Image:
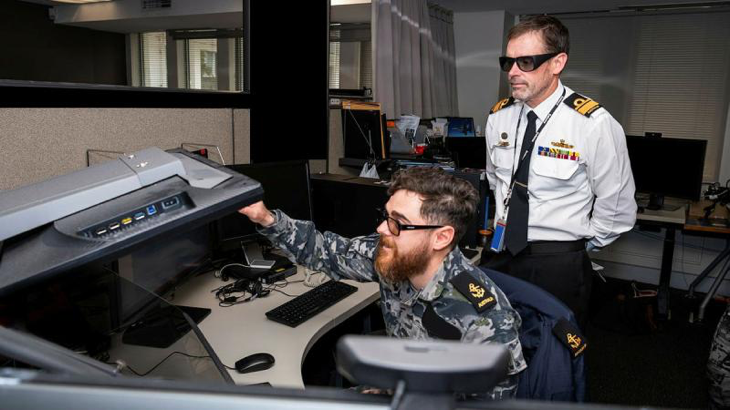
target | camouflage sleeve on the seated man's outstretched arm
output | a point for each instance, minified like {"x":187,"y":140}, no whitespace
{"x":336,"y":256}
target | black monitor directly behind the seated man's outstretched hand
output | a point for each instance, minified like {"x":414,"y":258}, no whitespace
{"x":286,"y":187}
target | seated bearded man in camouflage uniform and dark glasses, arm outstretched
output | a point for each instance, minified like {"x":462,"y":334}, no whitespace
{"x":428,"y":289}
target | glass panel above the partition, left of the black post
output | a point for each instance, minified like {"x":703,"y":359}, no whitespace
{"x":118,"y":43}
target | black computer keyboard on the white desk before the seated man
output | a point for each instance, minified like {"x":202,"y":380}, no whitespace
{"x":307,"y":305}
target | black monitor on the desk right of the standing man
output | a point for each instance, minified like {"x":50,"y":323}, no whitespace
{"x":667,"y":167}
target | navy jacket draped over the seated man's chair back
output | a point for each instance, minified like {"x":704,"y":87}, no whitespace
{"x":552,"y":371}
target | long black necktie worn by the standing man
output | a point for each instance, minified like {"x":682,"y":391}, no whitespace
{"x":519,"y":208}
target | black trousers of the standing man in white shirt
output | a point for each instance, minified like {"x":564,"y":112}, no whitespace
{"x":561,"y":268}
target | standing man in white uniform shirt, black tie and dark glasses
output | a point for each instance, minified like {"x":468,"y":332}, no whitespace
{"x":559,"y":168}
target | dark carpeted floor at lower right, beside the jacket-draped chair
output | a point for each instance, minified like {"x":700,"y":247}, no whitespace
{"x":634,"y":359}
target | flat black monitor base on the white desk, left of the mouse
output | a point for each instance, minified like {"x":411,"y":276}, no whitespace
{"x":163,"y":326}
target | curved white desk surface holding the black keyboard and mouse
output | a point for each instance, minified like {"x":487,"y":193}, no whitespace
{"x":238,"y":331}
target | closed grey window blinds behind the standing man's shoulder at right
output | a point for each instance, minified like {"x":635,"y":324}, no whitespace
{"x":663,"y":73}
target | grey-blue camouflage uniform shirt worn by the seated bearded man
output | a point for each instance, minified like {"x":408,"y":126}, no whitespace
{"x":403,"y":306}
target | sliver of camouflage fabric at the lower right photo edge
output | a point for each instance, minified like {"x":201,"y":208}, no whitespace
{"x":718,"y":366}
